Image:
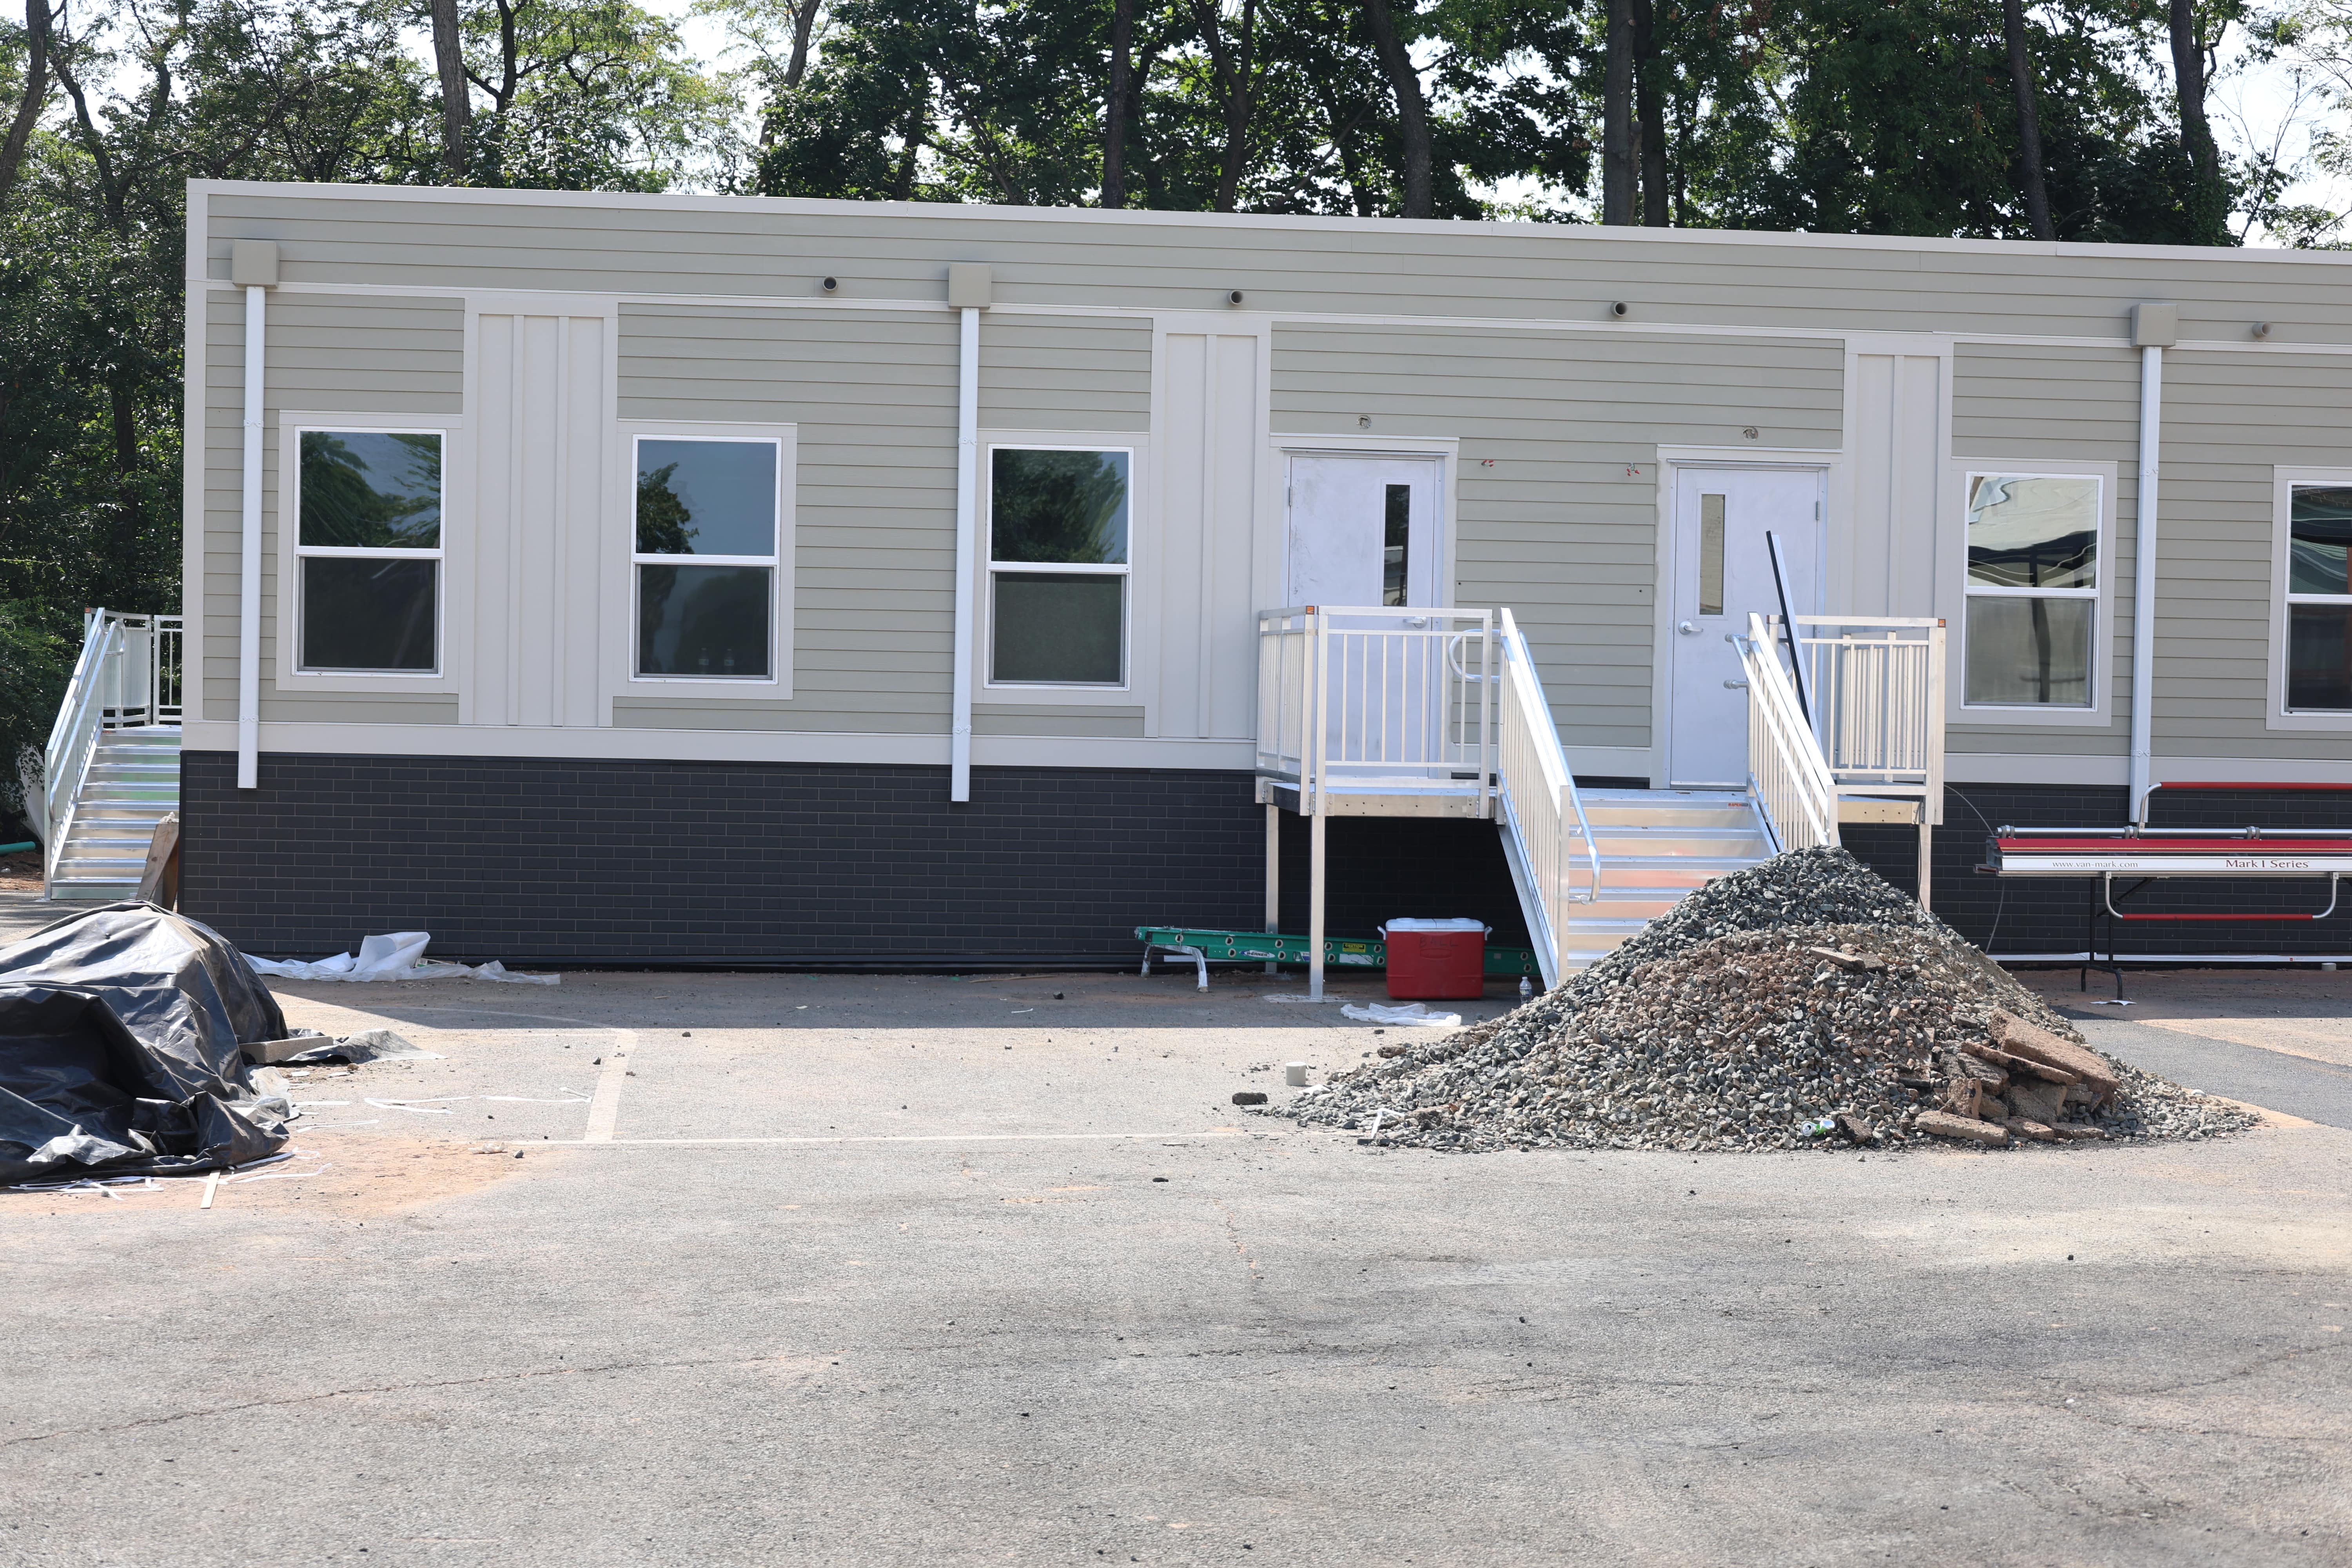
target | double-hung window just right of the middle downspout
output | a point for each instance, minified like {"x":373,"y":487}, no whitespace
{"x":1057,"y":565}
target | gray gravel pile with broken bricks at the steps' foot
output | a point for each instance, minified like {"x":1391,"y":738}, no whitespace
{"x":1725,"y":1028}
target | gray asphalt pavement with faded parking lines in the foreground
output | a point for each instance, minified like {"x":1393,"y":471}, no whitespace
{"x":881,"y":1271}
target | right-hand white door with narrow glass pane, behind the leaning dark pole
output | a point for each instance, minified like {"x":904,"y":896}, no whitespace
{"x":1723,"y":572}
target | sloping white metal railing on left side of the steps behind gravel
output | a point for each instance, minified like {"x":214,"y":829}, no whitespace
{"x":1542,"y":805}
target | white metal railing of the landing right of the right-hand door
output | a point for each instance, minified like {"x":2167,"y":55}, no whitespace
{"x":1878,"y":702}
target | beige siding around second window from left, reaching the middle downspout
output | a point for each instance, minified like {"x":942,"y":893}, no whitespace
{"x":874,"y":594}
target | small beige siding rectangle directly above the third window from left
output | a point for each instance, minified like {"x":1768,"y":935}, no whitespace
{"x":1067,"y":373}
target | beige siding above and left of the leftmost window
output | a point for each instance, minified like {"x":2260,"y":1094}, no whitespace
{"x":323,"y":354}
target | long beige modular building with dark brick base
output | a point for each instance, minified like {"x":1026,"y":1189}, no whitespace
{"x":780,"y":582}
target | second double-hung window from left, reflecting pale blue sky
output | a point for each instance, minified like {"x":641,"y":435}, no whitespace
{"x":707,"y":558}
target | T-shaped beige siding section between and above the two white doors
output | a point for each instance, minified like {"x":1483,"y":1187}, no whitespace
{"x":1558,"y":530}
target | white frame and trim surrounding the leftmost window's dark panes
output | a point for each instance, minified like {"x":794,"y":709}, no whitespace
{"x":450,"y":601}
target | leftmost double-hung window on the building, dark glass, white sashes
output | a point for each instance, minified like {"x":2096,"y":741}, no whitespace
{"x":368,"y":551}
